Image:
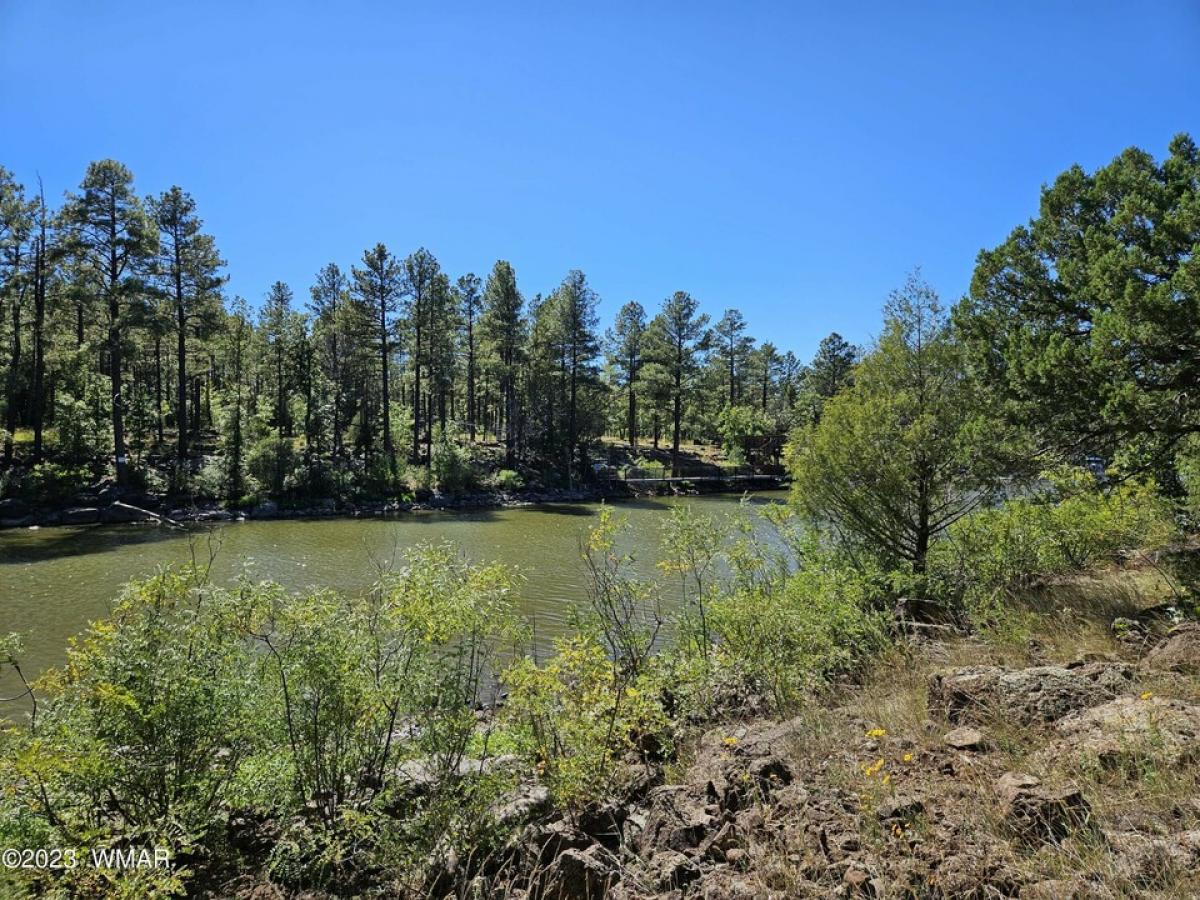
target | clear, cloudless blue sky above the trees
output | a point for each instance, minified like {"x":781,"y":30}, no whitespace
{"x":794,"y":160}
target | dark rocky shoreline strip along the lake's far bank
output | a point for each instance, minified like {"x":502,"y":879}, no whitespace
{"x":111,"y":507}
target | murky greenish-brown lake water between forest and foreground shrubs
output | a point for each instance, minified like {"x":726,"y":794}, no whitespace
{"x":53,"y":581}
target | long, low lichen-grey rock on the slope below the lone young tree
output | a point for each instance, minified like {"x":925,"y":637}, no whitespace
{"x":1042,"y":694}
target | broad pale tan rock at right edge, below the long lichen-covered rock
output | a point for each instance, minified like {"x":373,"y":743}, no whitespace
{"x":1129,"y":729}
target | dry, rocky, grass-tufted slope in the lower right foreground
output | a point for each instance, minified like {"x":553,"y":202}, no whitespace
{"x":1063,"y":766}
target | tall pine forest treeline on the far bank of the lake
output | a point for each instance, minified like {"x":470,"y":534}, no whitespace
{"x":123,"y":356}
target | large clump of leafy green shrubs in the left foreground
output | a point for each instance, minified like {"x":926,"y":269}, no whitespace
{"x":195,"y":701}
